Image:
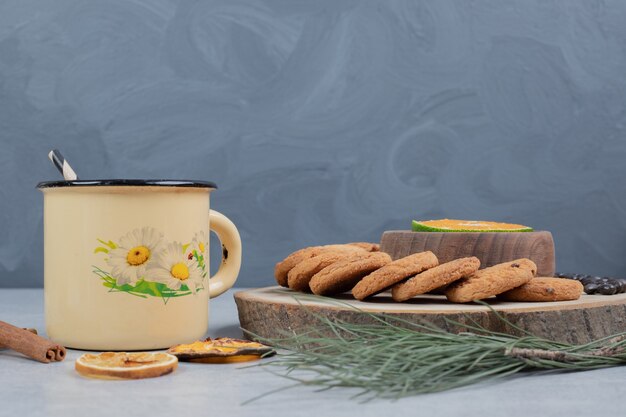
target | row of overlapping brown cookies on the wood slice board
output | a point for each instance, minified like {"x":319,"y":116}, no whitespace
{"x":364,"y":270}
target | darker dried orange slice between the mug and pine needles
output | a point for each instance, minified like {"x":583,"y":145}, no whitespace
{"x":221,"y":350}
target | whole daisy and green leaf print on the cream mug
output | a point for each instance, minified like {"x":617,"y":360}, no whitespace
{"x":142,"y":263}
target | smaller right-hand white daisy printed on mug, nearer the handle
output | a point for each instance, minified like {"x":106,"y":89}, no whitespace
{"x":173,"y":268}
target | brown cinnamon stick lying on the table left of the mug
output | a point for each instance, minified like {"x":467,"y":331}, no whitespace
{"x":30,"y":344}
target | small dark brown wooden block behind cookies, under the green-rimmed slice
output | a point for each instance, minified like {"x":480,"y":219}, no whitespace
{"x":490,"y":248}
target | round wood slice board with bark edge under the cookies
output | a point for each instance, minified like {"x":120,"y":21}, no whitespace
{"x":269,"y":311}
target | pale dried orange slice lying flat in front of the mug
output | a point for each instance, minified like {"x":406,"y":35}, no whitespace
{"x":122,"y":365}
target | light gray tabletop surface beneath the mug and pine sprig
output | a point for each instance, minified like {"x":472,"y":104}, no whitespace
{"x":33,"y":389}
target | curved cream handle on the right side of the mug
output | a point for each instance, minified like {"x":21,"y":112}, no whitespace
{"x":228,"y":234}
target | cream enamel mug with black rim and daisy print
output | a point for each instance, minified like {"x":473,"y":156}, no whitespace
{"x":126,"y":262}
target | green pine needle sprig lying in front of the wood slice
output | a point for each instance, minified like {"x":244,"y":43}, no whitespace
{"x":394,"y":358}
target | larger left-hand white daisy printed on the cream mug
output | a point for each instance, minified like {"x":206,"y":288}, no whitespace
{"x":135,"y":252}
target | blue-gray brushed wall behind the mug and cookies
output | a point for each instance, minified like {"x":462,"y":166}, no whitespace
{"x":324,"y":121}
